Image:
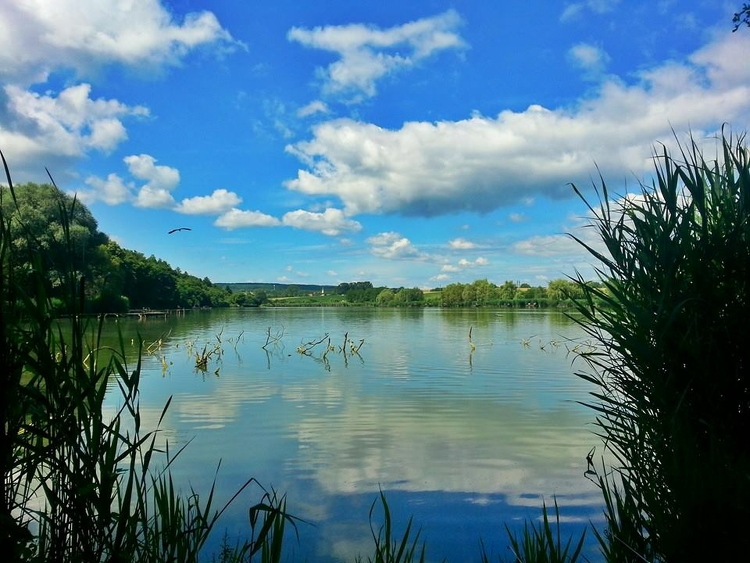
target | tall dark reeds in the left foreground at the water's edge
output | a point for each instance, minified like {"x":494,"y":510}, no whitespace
{"x":78,"y":485}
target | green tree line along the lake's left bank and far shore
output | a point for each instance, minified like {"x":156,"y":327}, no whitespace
{"x":56,"y":234}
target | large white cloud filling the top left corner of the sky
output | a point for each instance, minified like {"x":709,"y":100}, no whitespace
{"x":39,"y":36}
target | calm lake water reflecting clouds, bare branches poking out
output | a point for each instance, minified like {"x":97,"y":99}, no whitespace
{"x":466,"y":419}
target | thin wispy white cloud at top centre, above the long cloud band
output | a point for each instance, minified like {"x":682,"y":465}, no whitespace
{"x":367,"y":54}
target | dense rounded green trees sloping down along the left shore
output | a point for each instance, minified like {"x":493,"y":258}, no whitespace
{"x":54,"y":234}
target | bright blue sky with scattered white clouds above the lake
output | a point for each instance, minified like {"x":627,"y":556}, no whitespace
{"x":405,"y":143}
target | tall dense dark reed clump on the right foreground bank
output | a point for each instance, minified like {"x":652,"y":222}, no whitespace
{"x":672,"y":394}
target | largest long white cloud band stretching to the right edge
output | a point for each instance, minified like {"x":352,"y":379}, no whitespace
{"x":482,"y":163}
